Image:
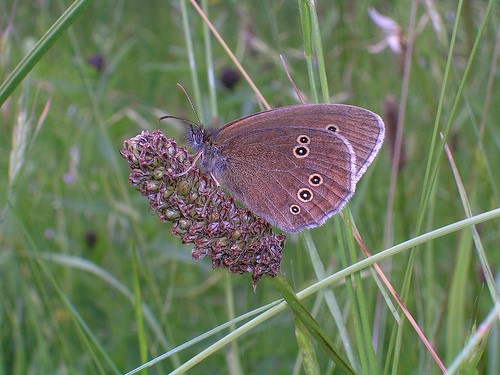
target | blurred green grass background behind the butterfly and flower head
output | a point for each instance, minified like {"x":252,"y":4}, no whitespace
{"x":92,"y":282}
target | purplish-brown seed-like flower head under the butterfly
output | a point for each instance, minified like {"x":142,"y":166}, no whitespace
{"x":201,"y":213}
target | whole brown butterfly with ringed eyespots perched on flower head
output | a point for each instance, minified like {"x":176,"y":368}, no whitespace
{"x":294,"y":166}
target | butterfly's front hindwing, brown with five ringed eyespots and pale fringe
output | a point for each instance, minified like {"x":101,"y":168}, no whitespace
{"x":294,"y":176}
